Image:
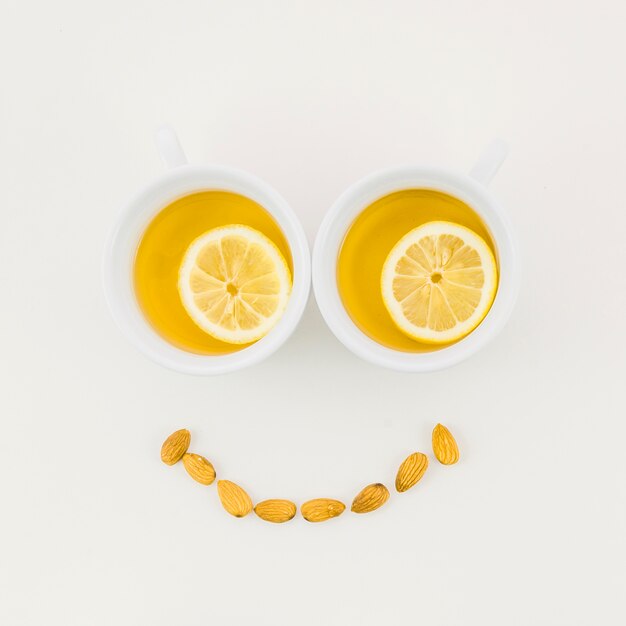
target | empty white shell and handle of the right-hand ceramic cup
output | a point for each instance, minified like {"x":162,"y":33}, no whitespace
{"x":471,"y":189}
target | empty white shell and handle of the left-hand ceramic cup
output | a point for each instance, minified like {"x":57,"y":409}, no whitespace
{"x":119,"y":255}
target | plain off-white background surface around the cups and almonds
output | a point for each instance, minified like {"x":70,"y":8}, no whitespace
{"x":529,"y":528}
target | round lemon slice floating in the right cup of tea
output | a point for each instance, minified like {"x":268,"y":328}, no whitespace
{"x":439,"y":282}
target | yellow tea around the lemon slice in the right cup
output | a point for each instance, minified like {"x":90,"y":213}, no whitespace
{"x":369,"y":241}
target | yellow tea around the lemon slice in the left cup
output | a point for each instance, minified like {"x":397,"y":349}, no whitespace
{"x":163,"y":246}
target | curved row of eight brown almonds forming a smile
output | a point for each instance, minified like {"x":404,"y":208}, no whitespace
{"x":238,"y":503}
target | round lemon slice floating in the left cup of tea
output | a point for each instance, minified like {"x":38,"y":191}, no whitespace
{"x":234,"y":283}
